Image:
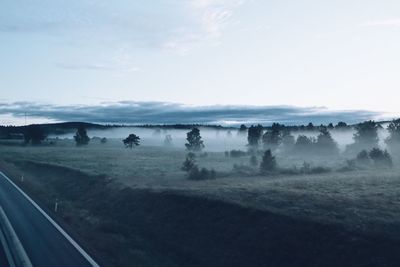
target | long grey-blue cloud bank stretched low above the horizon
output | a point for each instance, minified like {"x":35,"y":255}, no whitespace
{"x":131,"y":112}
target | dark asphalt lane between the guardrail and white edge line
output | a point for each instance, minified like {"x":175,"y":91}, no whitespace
{"x":44,"y":244}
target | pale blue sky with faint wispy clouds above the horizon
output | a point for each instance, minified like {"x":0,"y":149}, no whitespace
{"x":337,"y":55}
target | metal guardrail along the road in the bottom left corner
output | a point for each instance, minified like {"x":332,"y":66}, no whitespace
{"x":15,"y":252}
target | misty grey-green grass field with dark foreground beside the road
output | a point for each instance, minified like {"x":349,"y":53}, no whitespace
{"x":360,"y":205}
